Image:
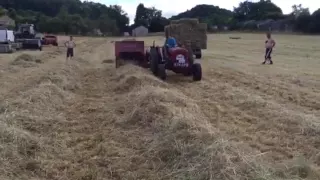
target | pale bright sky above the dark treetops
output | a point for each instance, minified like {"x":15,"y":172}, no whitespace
{"x":173,"y":7}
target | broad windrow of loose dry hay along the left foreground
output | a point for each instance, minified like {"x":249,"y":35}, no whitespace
{"x":29,"y":123}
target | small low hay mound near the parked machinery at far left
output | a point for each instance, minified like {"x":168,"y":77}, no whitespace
{"x":26,"y":61}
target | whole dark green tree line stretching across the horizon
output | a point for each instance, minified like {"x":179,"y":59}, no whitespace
{"x":76,"y":17}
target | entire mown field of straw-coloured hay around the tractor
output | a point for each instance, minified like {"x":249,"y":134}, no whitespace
{"x":87,"y":121}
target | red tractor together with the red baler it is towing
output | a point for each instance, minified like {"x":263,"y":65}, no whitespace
{"x":179,"y":59}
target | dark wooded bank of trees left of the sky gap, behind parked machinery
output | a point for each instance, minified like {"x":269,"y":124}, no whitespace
{"x":68,"y":16}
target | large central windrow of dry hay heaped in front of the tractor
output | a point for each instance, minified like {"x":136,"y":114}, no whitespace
{"x":168,"y":137}
